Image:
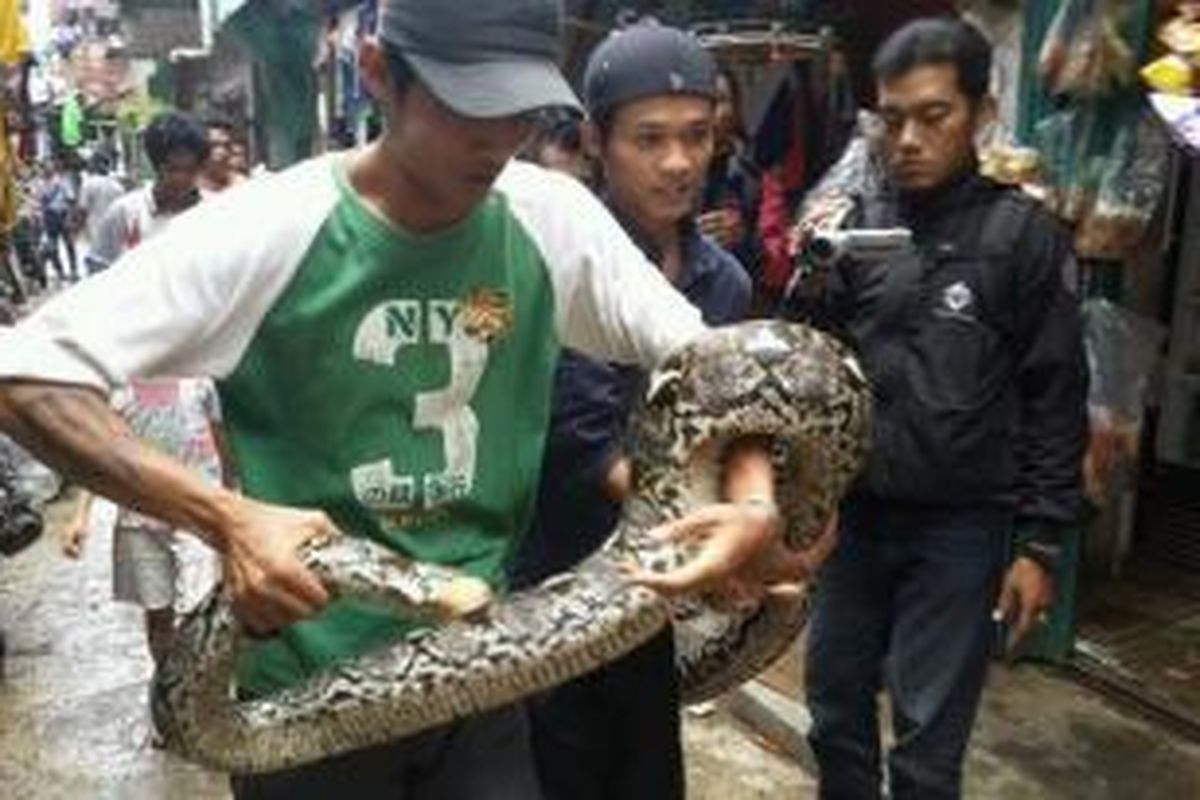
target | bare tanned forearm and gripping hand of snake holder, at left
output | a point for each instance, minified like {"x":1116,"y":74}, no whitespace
{"x":74,"y":430}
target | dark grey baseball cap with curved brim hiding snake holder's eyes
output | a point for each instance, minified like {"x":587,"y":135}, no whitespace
{"x":483,"y":58}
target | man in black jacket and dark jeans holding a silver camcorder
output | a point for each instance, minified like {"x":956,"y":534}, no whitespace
{"x":975,"y":352}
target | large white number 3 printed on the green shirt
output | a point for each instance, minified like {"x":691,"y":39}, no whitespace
{"x":382,"y":340}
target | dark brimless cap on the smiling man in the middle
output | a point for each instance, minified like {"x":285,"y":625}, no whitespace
{"x":645,"y":61}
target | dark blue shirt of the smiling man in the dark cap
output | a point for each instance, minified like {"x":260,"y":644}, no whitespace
{"x":590,"y":416}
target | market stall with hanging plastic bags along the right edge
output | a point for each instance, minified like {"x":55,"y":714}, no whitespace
{"x":1109,"y":166}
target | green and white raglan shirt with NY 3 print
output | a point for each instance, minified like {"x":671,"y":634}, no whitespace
{"x":399,"y":382}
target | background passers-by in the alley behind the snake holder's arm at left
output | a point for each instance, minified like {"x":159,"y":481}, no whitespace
{"x":93,"y":220}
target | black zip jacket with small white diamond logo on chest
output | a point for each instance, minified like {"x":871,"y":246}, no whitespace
{"x":974,"y":347}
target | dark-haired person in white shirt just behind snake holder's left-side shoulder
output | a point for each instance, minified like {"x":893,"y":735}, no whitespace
{"x":178,"y":148}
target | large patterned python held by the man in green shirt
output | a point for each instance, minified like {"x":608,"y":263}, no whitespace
{"x":785,"y":382}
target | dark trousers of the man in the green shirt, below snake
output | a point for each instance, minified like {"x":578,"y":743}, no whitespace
{"x":485,"y":757}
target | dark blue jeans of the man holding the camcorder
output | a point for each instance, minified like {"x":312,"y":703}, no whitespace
{"x":904,"y":605}
